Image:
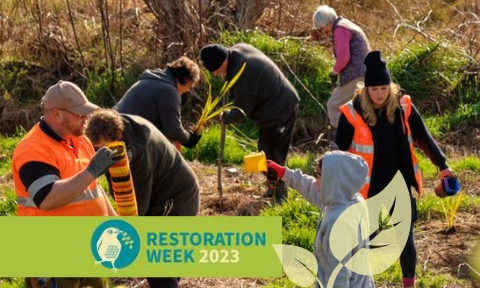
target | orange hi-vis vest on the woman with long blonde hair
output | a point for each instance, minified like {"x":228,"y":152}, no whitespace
{"x":362,"y":142}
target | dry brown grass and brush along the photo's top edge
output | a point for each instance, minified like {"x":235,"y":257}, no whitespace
{"x":44,"y":33}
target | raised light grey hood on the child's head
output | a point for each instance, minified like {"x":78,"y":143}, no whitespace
{"x":343,"y":175}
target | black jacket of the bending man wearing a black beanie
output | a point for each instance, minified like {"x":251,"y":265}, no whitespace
{"x":262,"y":91}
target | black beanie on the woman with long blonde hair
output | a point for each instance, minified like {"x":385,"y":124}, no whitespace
{"x":377,"y":73}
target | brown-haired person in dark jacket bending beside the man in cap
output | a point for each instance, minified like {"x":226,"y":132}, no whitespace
{"x":165,"y":184}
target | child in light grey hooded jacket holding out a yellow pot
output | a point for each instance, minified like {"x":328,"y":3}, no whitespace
{"x":340,"y":175}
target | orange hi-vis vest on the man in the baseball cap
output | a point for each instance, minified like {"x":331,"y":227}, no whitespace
{"x":40,"y":147}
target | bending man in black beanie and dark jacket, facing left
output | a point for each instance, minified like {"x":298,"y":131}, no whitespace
{"x":263,"y":94}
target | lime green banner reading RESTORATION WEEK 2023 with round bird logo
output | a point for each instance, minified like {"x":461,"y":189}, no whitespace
{"x":140,"y":246}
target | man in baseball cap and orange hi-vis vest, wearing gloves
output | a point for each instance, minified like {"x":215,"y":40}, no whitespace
{"x":55,"y":166}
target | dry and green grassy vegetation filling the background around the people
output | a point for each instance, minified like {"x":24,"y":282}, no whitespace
{"x":432,"y":48}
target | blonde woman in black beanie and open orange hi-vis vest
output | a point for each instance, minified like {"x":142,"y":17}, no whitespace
{"x":382,"y":125}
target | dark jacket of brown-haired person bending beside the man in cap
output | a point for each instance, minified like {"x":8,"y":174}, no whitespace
{"x":160,"y":174}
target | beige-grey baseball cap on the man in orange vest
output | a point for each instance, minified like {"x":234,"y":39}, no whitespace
{"x":67,"y":96}
